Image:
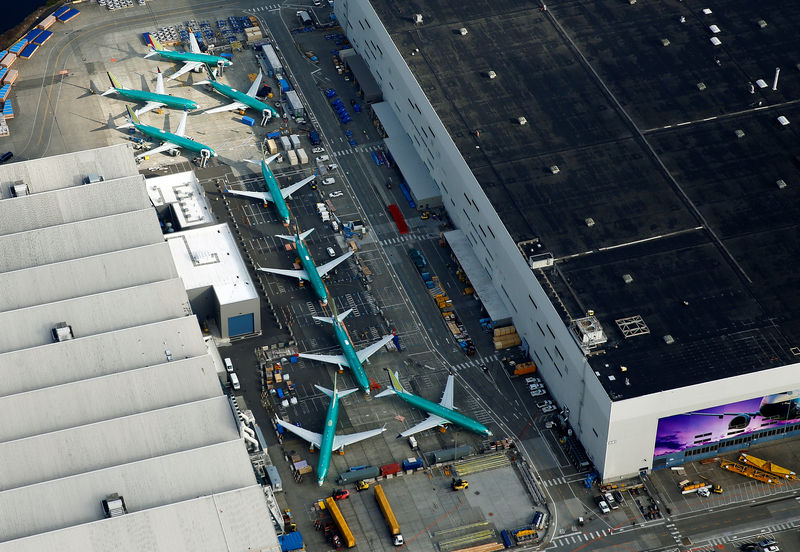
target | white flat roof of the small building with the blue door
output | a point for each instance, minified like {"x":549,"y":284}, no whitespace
{"x":208,"y":256}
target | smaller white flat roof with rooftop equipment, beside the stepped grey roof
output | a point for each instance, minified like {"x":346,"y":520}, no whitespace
{"x":185,"y":195}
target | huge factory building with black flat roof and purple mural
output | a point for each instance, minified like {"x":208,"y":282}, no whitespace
{"x":642,"y":243}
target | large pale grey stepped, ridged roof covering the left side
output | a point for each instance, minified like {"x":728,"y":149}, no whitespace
{"x":123,"y":398}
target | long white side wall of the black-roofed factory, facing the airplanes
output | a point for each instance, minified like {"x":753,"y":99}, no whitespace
{"x":560,"y":360}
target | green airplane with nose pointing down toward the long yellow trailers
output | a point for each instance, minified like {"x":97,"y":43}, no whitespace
{"x":329,"y":441}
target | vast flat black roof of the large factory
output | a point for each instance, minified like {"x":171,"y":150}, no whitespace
{"x":641,"y":112}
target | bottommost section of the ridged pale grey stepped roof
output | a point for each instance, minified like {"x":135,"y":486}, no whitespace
{"x":213,"y":523}
